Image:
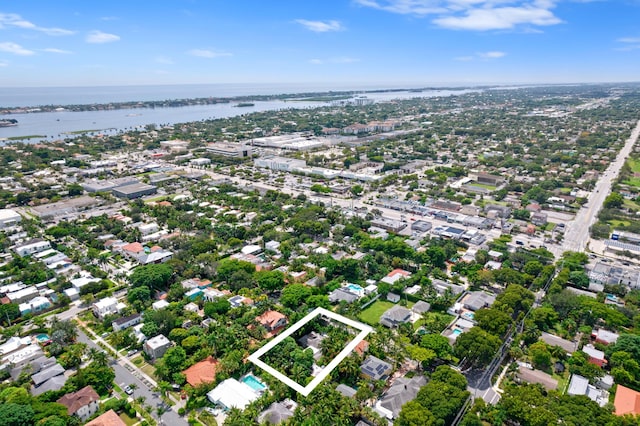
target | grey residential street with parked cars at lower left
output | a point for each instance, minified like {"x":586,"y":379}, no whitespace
{"x":125,"y":377}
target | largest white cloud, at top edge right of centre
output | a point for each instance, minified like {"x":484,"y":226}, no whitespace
{"x":474,"y":15}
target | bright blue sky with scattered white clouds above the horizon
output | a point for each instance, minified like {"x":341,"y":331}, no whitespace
{"x":86,"y":43}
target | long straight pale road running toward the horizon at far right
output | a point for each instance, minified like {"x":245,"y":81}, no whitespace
{"x":576,"y":236}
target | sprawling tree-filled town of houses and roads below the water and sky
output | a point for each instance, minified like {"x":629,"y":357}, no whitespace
{"x":166,"y":275}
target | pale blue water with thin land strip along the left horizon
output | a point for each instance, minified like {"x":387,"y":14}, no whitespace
{"x":58,"y":125}
